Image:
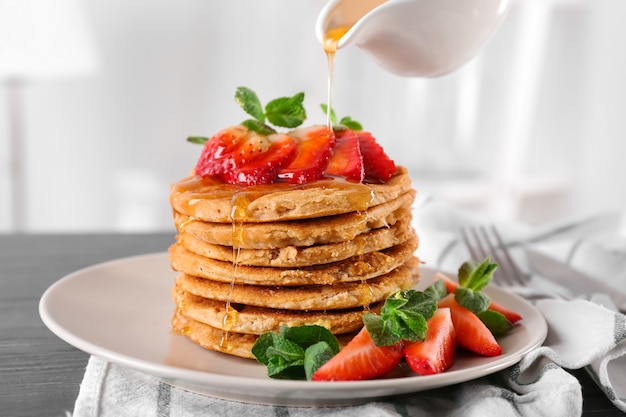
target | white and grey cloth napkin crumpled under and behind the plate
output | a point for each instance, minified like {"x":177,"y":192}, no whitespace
{"x":584,"y":332}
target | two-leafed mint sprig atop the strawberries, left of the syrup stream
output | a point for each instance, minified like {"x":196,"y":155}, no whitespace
{"x":284,"y":111}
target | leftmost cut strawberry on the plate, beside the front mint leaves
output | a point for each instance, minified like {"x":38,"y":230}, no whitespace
{"x":360,"y":359}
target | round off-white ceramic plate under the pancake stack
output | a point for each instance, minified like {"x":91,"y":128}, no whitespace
{"x":120,"y":311}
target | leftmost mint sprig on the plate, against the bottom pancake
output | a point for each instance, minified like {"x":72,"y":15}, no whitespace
{"x":296,"y":352}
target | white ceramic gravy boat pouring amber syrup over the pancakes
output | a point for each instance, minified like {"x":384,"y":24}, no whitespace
{"x":415,"y":38}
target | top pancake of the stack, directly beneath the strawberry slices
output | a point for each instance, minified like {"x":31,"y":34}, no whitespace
{"x":211,"y":200}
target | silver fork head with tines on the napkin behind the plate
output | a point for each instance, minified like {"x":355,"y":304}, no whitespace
{"x":483,"y":241}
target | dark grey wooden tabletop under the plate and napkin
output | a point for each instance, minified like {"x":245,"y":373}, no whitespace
{"x":40,"y":374}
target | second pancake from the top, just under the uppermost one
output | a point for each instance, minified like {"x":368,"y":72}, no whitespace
{"x":317,"y":231}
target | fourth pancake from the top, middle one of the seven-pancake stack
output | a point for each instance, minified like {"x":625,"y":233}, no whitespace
{"x":357,"y":268}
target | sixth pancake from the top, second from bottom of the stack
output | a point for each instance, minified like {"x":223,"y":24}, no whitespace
{"x":258,"y":320}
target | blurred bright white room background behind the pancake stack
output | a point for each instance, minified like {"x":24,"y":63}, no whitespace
{"x":531,"y":130}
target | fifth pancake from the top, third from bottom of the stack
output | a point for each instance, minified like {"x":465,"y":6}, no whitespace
{"x":312,"y":297}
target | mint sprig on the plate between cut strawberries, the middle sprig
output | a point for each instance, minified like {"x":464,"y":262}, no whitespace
{"x":403,"y":317}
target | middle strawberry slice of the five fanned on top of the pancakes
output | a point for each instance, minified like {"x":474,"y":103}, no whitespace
{"x":314,"y":147}
